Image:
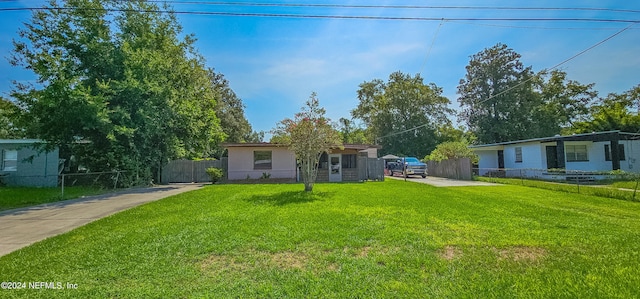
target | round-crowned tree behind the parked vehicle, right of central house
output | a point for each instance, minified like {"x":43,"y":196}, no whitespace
{"x":403,"y":114}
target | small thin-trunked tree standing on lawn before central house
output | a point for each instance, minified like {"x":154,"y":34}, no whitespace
{"x":308,"y":135}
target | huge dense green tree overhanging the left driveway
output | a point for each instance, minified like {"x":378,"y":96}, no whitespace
{"x":117,"y":85}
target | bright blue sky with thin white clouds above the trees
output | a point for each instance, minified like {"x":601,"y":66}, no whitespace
{"x":274,"y":64}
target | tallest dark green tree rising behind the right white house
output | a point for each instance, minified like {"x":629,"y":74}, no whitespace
{"x":497,"y":96}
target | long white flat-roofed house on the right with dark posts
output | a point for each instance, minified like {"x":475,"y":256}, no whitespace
{"x":580,"y":152}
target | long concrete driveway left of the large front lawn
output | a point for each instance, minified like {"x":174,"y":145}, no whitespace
{"x":25,"y":226}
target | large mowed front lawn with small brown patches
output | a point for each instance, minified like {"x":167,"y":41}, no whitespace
{"x":392,"y":239}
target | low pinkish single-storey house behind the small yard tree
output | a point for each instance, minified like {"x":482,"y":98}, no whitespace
{"x":255,"y":160}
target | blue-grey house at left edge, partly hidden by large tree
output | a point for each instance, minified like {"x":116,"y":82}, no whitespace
{"x":22,"y":165}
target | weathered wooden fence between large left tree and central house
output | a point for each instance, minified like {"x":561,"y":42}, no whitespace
{"x":189,"y":171}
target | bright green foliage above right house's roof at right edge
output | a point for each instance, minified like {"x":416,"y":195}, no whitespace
{"x":615,"y":112}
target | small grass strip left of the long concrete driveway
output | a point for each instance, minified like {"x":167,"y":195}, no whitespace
{"x":18,"y":197}
